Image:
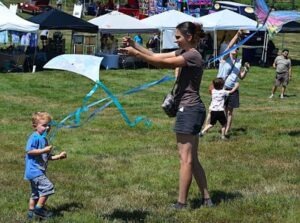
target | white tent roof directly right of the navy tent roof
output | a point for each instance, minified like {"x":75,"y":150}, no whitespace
{"x":118,"y":22}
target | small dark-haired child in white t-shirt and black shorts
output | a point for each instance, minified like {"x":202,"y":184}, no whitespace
{"x":216,"y":107}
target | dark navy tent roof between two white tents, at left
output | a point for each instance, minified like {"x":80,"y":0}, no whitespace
{"x":59,"y":20}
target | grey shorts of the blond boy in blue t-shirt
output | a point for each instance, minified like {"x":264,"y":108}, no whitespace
{"x":41,"y":186}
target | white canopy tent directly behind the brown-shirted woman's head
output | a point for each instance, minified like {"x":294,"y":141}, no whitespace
{"x":166,"y":22}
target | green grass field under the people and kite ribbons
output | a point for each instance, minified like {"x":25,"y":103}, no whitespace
{"x":115,"y":173}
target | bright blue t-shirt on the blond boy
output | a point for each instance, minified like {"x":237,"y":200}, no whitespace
{"x":35,"y":165}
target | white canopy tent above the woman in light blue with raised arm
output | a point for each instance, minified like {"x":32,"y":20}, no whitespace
{"x":228,"y":20}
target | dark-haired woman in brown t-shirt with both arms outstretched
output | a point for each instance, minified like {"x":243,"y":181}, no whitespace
{"x":191,"y":110}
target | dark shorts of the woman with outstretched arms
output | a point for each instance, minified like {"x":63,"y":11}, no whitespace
{"x":189,"y":120}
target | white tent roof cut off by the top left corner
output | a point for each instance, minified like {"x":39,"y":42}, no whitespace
{"x":10,"y":21}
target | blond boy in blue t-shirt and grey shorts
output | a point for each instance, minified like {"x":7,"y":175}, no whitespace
{"x":38,"y":152}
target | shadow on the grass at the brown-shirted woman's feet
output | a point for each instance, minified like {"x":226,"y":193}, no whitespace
{"x":217,"y":197}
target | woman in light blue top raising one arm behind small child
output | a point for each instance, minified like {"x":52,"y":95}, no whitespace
{"x":230,"y":70}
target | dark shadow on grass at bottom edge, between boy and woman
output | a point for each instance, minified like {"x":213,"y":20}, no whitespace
{"x":128,"y":216}
